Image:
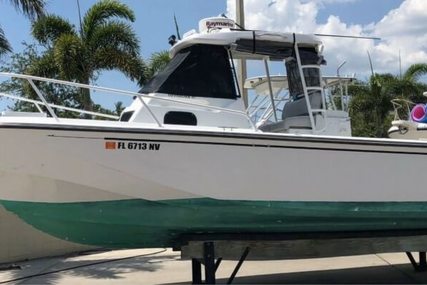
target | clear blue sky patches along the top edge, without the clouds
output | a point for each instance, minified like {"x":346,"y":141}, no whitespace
{"x":154,"y":18}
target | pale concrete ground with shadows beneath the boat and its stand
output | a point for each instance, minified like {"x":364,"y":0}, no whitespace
{"x":164,"y":266}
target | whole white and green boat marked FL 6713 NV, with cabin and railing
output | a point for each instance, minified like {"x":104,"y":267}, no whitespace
{"x":185,"y":158}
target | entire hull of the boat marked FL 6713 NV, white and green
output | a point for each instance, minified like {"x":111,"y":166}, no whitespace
{"x":118,"y":187}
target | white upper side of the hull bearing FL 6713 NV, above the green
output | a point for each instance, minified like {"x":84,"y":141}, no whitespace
{"x":229,"y":166}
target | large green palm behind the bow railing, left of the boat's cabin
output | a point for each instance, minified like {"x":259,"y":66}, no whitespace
{"x":105,"y":41}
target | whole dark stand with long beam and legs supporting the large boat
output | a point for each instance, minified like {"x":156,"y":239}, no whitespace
{"x":210,"y":249}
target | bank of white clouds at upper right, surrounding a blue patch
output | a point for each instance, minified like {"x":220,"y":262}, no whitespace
{"x":403,"y":29}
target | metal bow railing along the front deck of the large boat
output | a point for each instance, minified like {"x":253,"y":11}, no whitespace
{"x":139,"y":96}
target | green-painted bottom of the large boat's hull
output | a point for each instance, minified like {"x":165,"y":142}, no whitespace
{"x":142,"y":223}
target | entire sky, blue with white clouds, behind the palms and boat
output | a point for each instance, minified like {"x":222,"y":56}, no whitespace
{"x":401,"y":25}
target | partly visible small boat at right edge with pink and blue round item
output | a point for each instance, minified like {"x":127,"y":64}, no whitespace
{"x":409,"y":121}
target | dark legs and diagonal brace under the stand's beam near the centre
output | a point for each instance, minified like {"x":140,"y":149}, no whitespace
{"x":211,"y":265}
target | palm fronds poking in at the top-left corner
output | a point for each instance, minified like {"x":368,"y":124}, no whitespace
{"x":30,"y":8}
